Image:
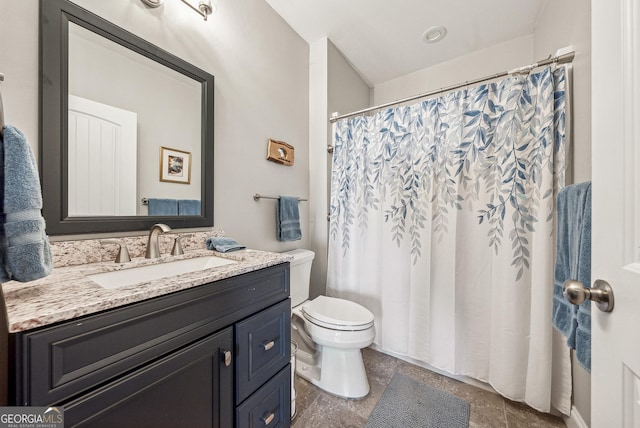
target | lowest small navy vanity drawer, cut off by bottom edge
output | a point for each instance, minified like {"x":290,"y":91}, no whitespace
{"x":270,"y":406}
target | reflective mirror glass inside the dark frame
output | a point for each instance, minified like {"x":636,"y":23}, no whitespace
{"x":131,"y":120}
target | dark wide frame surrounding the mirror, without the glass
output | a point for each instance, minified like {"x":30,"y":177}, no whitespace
{"x":55,"y":16}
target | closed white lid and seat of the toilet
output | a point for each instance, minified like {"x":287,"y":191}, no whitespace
{"x":337,"y":314}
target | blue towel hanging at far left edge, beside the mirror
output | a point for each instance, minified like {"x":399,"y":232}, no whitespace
{"x":24,"y":247}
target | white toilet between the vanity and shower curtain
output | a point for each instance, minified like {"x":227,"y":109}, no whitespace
{"x":330,"y":333}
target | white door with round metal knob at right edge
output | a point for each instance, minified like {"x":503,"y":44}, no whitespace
{"x":615,"y":365}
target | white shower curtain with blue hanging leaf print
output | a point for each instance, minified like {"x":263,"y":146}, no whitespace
{"x":442,"y":224}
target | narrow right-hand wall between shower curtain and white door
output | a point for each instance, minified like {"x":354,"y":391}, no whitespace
{"x":564,"y":23}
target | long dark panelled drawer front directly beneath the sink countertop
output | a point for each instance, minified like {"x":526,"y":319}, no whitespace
{"x":55,"y":363}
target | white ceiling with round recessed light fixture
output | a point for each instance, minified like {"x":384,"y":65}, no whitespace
{"x":382,"y":38}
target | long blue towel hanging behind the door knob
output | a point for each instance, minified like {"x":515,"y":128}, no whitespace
{"x":573,"y":261}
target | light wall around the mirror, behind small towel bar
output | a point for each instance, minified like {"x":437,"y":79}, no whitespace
{"x":261,"y":91}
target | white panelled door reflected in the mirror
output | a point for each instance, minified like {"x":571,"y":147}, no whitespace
{"x":103,"y":149}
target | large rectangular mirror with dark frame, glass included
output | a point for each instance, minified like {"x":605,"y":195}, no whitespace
{"x":126,"y":129}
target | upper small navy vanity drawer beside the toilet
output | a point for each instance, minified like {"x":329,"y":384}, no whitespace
{"x":263,"y":347}
